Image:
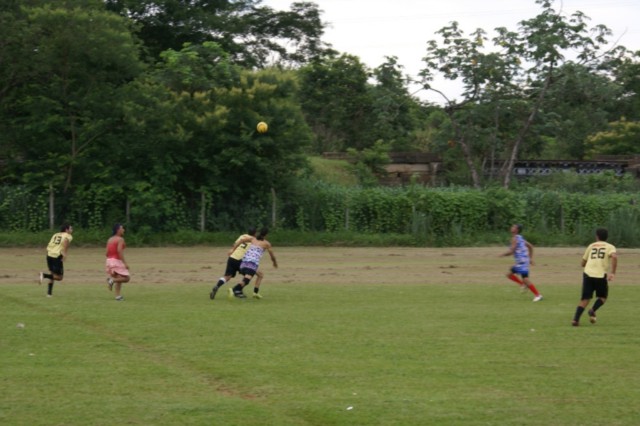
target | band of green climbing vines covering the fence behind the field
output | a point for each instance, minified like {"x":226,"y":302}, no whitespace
{"x":425,"y":213}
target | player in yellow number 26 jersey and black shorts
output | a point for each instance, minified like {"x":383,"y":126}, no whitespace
{"x":600,"y":262}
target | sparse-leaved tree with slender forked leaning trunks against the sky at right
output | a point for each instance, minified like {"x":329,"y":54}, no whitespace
{"x":521,"y":67}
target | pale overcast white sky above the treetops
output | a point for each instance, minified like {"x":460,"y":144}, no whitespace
{"x":374,"y":29}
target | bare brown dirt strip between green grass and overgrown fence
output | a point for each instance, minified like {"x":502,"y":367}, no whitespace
{"x":326,"y":265}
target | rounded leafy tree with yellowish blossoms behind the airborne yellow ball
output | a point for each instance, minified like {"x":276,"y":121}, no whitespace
{"x":194,"y":116}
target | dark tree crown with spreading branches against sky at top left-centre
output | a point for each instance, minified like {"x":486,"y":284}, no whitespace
{"x":254,"y":35}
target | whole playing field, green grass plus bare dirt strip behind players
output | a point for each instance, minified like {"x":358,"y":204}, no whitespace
{"x":343,"y":336}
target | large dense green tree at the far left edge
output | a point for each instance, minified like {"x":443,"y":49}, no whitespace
{"x":74,"y":62}
